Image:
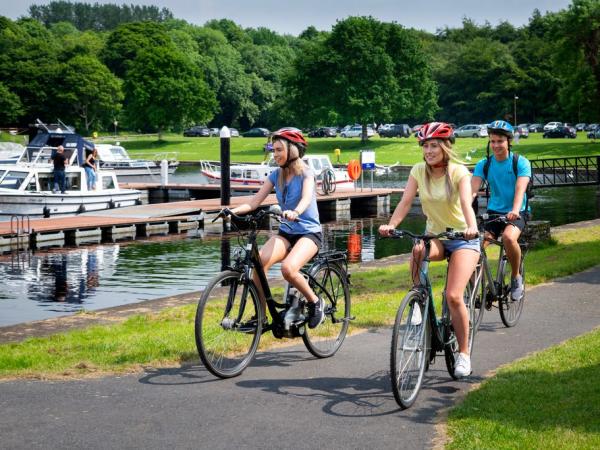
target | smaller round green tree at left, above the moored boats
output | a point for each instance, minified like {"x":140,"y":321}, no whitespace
{"x":94,"y":94}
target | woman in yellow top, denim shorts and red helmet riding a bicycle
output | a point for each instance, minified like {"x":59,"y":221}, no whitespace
{"x":444,"y":189}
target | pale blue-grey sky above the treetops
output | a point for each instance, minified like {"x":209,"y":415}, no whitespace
{"x":292,"y":17}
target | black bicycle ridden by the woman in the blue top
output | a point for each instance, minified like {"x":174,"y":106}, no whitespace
{"x":230,"y":320}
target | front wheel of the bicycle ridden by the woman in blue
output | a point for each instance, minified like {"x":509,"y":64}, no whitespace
{"x":227,"y":326}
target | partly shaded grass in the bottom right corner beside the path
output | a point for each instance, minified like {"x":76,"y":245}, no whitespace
{"x":550,"y":400}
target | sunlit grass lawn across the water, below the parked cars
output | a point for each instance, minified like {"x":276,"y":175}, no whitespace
{"x":388,"y":151}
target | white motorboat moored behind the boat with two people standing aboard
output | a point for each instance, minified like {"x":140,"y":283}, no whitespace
{"x":116,"y":158}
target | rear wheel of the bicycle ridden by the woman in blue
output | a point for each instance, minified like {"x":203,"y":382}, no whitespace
{"x":329,"y":282}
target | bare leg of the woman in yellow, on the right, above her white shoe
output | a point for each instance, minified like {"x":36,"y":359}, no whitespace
{"x":460,"y":268}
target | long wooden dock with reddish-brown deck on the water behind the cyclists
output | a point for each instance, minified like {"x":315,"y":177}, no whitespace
{"x":162,"y":218}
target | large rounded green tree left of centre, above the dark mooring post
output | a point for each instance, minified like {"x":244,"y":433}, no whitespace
{"x":163,"y":89}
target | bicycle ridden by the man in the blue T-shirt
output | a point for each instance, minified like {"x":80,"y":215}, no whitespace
{"x":495,"y":292}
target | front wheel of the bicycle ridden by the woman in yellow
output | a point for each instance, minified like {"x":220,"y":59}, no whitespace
{"x":409,"y":352}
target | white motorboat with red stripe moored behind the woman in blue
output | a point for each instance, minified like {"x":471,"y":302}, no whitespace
{"x":255,"y":174}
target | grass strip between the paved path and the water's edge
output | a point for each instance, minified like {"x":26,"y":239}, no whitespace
{"x":166,"y":338}
